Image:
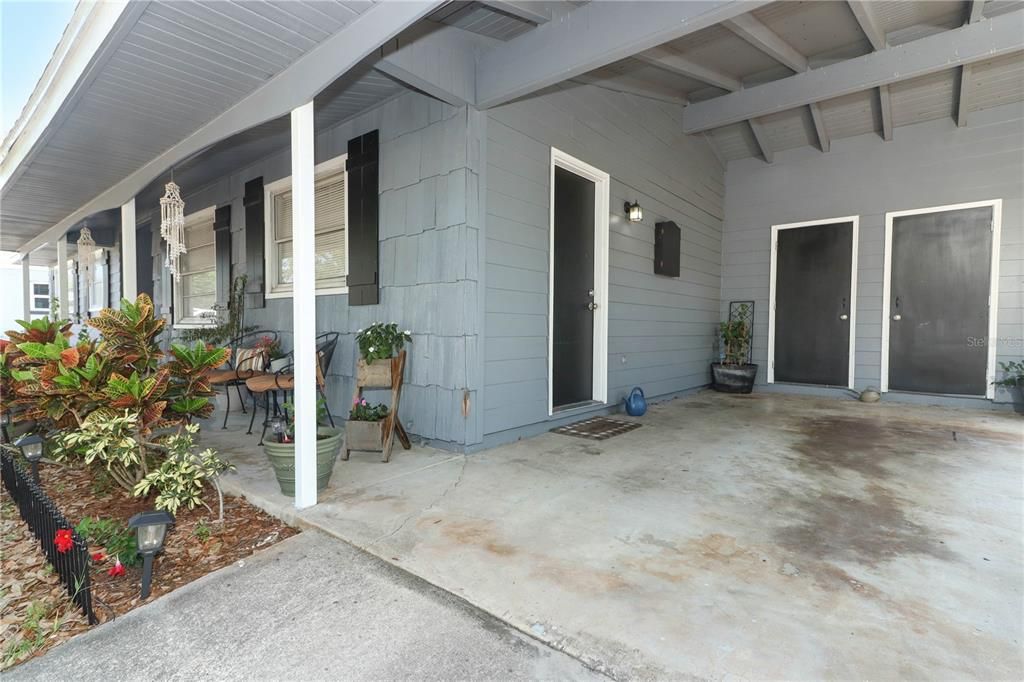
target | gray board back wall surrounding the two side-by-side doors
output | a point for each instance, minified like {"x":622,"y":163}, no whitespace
{"x":926,"y":165}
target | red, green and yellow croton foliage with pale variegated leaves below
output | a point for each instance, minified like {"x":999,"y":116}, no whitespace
{"x":116,"y":401}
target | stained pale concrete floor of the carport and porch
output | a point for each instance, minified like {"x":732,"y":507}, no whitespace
{"x":755,"y":537}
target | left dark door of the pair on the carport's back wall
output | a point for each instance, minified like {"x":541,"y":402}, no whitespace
{"x":813,"y":305}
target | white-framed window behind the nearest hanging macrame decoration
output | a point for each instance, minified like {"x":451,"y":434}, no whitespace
{"x":196,"y":292}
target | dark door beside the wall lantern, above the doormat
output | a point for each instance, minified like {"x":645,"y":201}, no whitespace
{"x":573,"y":342}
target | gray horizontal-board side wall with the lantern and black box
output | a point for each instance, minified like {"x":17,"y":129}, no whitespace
{"x":661,"y":330}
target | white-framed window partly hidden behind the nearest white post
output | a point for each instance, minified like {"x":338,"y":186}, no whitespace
{"x":331,"y":232}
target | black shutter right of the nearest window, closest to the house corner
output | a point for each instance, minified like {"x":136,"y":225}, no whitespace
{"x":364,"y":258}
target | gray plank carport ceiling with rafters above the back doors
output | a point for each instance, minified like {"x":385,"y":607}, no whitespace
{"x":772,"y":45}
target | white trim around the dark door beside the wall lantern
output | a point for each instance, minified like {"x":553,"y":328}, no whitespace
{"x":602,"y":199}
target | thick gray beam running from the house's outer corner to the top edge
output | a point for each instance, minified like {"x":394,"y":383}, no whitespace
{"x":588,"y":38}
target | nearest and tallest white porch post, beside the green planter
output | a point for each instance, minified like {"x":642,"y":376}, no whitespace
{"x":305,"y":306}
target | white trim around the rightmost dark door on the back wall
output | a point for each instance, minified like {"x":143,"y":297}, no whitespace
{"x":994,"y":287}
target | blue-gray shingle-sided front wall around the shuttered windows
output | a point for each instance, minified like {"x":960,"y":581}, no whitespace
{"x":429,"y":261}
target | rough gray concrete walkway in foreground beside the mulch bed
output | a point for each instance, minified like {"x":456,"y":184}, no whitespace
{"x":312,"y":608}
